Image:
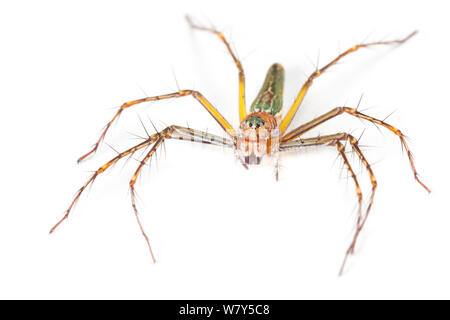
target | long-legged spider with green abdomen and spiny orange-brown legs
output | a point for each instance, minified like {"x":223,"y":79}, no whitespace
{"x":262,"y":132}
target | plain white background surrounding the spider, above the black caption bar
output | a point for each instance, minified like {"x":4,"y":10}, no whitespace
{"x":219,"y":231}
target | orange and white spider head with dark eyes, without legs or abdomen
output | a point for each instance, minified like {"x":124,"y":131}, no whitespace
{"x":258,"y":137}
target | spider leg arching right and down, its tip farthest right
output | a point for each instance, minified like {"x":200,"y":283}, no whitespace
{"x":340,"y":110}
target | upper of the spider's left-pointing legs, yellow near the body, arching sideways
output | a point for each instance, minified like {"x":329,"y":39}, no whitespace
{"x":197,"y":95}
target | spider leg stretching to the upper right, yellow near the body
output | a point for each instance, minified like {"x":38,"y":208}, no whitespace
{"x":291,"y":113}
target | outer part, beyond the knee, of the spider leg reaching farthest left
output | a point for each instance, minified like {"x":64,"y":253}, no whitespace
{"x":102,"y":169}
